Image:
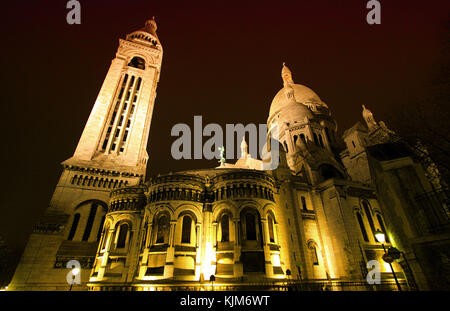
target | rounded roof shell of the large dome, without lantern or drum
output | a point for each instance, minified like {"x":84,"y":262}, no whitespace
{"x":302,"y":94}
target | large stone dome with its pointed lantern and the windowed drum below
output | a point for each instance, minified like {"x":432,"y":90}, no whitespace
{"x":306,"y":130}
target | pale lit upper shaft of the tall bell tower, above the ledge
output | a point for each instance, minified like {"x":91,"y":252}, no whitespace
{"x":116,"y":133}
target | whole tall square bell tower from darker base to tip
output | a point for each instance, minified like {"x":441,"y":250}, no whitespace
{"x":111,"y":153}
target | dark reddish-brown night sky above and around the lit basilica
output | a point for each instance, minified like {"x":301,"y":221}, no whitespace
{"x":222,"y":60}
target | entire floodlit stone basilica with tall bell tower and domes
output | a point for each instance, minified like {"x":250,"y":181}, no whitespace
{"x":311,"y":223}
